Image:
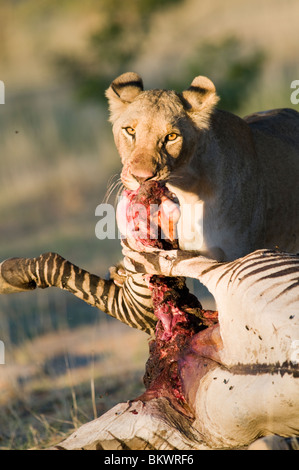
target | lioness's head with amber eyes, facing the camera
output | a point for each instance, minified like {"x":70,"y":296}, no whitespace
{"x":157,"y":131}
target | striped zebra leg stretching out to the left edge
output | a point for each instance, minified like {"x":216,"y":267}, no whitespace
{"x":128,"y":301}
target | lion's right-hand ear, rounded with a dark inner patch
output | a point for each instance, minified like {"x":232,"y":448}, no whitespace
{"x":201,"y":96}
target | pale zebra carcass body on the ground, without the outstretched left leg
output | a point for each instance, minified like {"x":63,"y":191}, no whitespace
{"x":240,"y":377}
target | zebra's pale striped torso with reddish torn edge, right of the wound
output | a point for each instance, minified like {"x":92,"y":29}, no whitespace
{"x":241,"y":376}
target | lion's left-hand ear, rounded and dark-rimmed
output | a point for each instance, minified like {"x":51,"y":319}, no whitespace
{"x":122,"y":91}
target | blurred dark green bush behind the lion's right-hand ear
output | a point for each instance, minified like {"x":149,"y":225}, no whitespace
{"x":233,"y":70}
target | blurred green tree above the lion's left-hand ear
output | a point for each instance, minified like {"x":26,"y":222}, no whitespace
{"x":113,"y":47}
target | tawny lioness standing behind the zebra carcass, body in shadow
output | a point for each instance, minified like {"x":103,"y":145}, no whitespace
{"x":241,"y":174}
